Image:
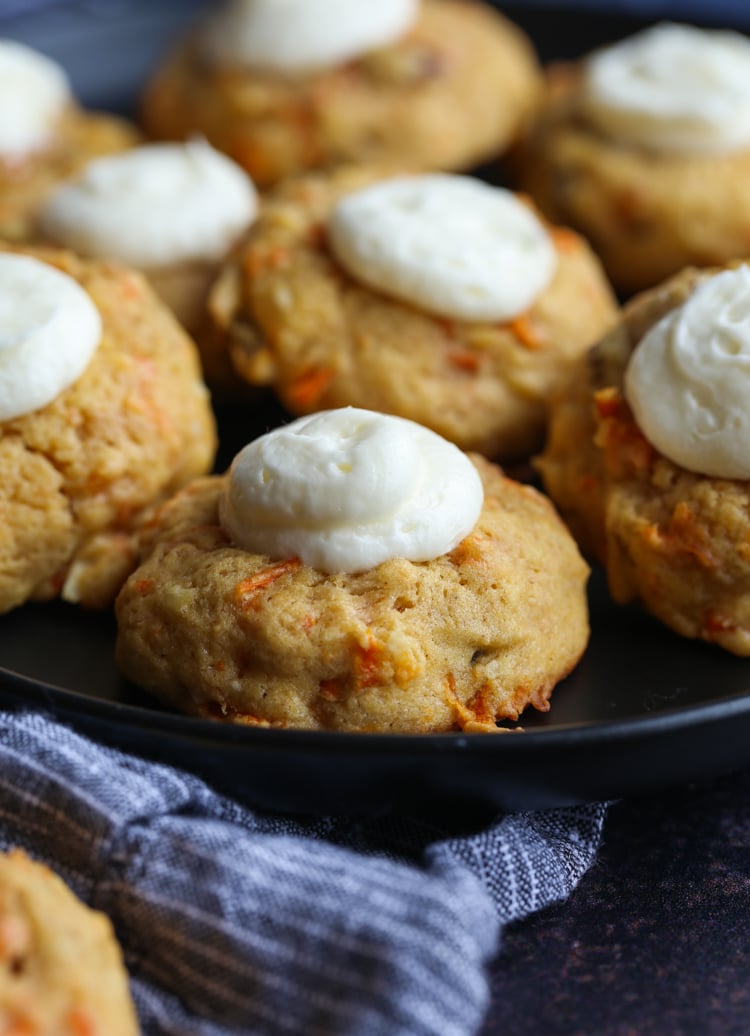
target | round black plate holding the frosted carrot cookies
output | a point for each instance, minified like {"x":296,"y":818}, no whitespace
{"x":644,"y":709}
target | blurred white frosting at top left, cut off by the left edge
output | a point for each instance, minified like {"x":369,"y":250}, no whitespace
{"x":35,"y":92}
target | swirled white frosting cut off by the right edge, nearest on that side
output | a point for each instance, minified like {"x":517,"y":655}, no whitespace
{"x":688,"y":381}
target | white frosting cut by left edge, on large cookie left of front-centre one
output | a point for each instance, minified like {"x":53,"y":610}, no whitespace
{"x":50,"y":330}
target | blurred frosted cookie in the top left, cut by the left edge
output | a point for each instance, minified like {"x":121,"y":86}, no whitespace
{"x":45,"y":136}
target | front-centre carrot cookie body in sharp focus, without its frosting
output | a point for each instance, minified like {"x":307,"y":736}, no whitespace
{"x":458,"y":643}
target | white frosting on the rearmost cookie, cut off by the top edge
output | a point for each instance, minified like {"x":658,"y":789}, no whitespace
{"x":299,"y":37}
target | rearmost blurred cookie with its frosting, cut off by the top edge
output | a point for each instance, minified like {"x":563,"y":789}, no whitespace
{"x":437,"y":84}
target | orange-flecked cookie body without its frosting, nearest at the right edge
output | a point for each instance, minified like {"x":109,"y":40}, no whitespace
{"x":677,"y":541}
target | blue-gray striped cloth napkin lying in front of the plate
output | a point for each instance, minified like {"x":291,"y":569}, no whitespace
{"x":236,"y":923}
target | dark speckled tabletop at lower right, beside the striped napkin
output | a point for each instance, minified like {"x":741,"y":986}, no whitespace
{"x":656,"y":939}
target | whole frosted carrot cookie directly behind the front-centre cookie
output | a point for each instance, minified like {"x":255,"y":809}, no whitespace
{"x":436,"y":298}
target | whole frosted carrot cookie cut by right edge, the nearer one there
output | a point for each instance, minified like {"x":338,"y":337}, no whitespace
{"x":648,"y":456}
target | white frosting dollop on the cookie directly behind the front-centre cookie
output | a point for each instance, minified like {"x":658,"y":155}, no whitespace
{"x":450,"y":245}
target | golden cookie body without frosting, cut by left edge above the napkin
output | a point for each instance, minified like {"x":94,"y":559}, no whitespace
{"x":79,"y":475}
